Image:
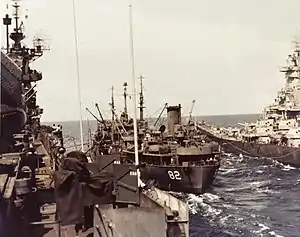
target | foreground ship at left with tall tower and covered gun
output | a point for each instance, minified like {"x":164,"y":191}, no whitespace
{"x":46,"y":192}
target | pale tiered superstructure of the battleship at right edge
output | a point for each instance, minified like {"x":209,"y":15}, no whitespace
{"x":281,"y":119}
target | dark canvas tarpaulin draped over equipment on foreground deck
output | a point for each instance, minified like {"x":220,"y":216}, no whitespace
{"x":76,"y":186}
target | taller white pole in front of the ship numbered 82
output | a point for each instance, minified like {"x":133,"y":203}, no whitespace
{"x":134,"y":92}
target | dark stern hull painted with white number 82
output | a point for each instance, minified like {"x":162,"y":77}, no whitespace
{"x":180,"y":179}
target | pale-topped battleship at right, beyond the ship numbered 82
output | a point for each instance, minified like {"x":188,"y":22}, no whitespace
{"x":276,"y":134}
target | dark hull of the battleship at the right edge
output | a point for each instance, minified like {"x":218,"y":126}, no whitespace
{"x":283,"y":154}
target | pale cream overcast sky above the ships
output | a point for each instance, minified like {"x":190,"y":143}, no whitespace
{"x":223,"y":54}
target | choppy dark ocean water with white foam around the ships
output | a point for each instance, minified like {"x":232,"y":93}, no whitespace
{"x":250,"y":196}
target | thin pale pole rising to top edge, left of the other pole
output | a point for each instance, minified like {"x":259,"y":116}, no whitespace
{"x":78,"y":76}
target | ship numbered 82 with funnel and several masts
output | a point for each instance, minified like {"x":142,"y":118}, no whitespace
{"x":173,"y":157}
